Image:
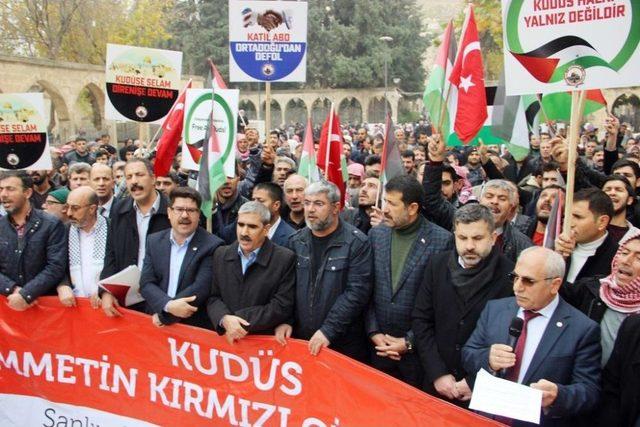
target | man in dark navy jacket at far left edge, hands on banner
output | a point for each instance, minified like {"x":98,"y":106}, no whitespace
{"x":33,"y":255}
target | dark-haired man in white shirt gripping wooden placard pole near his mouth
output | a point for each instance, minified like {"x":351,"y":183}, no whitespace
{"x":588,"y":249}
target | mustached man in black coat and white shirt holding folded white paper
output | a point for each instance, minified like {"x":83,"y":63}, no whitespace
{"x":142,"y":213}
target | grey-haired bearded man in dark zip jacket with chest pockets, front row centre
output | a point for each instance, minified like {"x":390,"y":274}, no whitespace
{"x":333,"y":282}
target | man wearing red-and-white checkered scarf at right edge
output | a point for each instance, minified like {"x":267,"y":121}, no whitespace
{"x":611,"y":299}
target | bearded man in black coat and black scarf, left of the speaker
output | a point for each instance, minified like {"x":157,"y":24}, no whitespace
{"x":455,"y":288}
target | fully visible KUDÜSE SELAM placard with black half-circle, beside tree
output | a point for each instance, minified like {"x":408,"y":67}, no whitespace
{"x":141,"y":83}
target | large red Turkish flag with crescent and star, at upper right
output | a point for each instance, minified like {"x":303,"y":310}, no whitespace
{"x":467,"y":76}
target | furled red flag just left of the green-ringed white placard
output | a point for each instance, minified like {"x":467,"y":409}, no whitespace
{"x":171,"y":135}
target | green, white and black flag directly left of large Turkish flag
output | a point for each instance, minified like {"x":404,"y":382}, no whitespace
{"x":438,"y":84}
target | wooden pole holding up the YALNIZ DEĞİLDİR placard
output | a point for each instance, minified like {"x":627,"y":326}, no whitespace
{"x":578,"y":99}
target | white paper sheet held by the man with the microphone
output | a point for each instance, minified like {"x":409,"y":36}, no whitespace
{"x":506,"y":398}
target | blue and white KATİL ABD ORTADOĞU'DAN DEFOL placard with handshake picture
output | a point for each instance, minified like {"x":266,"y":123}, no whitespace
{"x":267,"y":41}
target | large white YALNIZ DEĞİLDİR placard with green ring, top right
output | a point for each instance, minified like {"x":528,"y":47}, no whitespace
{"x":565,"y":45}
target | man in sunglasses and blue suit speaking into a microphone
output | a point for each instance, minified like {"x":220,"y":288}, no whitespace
{"x":558,"y":351}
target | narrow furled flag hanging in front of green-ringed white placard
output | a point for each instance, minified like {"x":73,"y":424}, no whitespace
{"x":211,"y":176}
